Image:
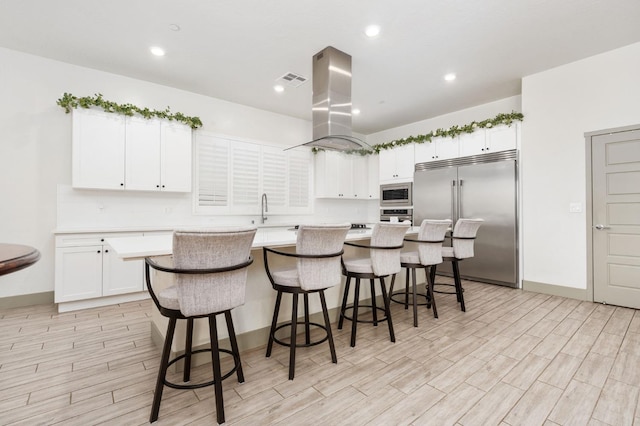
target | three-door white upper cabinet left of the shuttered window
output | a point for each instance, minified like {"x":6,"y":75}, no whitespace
{"x":111,"y":151}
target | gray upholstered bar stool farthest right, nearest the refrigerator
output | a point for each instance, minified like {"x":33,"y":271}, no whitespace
{"x":462,"y":242}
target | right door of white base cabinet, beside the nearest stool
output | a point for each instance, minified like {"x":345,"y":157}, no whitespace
{"x":119,"y":276}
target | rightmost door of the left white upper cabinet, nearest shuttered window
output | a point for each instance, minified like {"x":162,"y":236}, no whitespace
{"x":175,"y":162}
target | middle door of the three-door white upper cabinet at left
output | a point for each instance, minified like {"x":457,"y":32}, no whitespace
{"x":143,"y":154}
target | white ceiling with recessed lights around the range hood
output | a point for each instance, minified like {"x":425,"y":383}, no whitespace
{"x":236,"y":49}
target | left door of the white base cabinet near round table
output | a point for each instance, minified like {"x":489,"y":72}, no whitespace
{"x":78,"y":273}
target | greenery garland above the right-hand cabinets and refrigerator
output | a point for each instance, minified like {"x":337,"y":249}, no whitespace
{"x":451,"y":132}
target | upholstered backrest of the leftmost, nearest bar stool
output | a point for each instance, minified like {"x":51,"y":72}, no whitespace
{"x":202,"y":294}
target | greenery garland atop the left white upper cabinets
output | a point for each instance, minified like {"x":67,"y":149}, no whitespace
{"x":68,"y":101}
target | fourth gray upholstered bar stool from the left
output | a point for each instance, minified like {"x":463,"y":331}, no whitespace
{"x":429,"y":253}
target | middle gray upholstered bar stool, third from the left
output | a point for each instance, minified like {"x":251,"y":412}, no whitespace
{"x":383,"y":260}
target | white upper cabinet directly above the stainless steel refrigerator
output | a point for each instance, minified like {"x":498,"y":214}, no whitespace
{"x":486,"y":141}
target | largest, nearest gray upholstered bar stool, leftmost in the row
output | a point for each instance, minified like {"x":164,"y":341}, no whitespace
{"x":210,"y":268}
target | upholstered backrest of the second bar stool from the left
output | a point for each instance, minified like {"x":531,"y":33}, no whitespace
{"x":320,"y":273}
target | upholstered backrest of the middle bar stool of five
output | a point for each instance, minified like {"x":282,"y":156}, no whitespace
{"x":387,"y":262}
